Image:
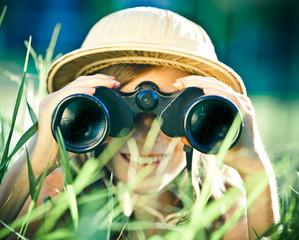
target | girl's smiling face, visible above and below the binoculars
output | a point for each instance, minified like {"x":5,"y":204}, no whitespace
{"x":120,"y":167}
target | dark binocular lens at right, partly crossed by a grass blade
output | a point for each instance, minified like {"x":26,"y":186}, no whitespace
{"x":208,"y":122}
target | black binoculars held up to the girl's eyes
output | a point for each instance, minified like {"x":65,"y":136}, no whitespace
{"x":86,"y":121}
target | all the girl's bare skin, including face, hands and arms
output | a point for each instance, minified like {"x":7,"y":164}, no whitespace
{"x":247,"y":157}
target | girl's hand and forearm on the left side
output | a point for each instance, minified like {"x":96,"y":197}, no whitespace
{"x":43,"y":149}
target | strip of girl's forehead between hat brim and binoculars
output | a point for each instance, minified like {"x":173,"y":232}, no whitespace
{"x":163,"y":77}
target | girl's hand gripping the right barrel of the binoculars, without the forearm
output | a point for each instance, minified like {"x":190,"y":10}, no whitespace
{"x":245,"y":155}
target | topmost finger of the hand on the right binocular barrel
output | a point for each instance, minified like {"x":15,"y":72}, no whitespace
{"x":200,"y":82}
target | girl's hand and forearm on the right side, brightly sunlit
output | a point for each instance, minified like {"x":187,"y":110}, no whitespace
{"x":247,"y":157}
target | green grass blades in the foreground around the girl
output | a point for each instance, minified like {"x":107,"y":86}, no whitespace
{"x":103,"y":214}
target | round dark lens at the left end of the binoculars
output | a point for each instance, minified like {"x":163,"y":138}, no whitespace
{"x":84,"y":122}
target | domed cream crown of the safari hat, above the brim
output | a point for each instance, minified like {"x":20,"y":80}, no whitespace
{"x":148,"y":25}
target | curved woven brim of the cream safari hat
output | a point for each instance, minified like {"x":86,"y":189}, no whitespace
{"x":79,"y":62}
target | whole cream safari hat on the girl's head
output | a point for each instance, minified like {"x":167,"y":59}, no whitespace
{"x":143,"y":35}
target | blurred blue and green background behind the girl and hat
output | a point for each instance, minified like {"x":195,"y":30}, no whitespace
{"x":257,"y":38}
